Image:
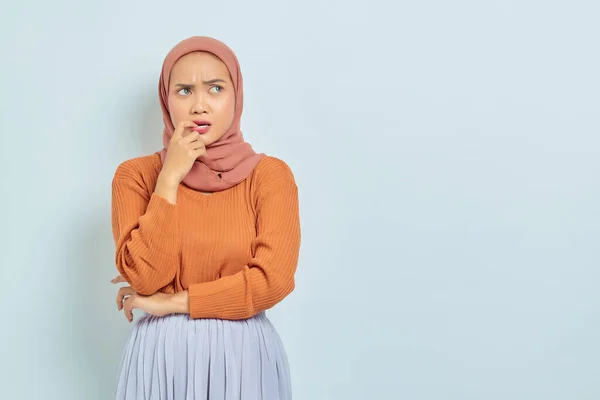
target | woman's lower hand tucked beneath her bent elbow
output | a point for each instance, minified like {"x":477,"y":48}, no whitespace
{"x":158,"y":304}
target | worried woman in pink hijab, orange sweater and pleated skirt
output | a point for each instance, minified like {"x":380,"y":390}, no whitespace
{"x":207,"y":236}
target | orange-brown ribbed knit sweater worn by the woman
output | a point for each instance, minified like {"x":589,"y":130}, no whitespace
{"x":235,"y":251}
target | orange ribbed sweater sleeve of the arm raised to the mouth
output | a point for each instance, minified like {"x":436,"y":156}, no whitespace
{"x":145,"y":233}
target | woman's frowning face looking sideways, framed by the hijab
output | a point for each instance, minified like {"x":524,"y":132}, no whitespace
{"x":200,"y":89}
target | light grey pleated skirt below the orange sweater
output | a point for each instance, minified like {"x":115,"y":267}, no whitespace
{"x":176,"y":357}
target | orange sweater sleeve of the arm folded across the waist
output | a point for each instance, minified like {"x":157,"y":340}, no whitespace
{"x":269,"y":276}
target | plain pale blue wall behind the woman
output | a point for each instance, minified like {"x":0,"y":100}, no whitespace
{"x":448,"y":159}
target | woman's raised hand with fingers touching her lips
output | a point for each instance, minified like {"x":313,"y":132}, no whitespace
{"x":185,"y":147}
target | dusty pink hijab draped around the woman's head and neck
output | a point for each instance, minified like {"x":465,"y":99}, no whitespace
{"x":230,"y":159}
